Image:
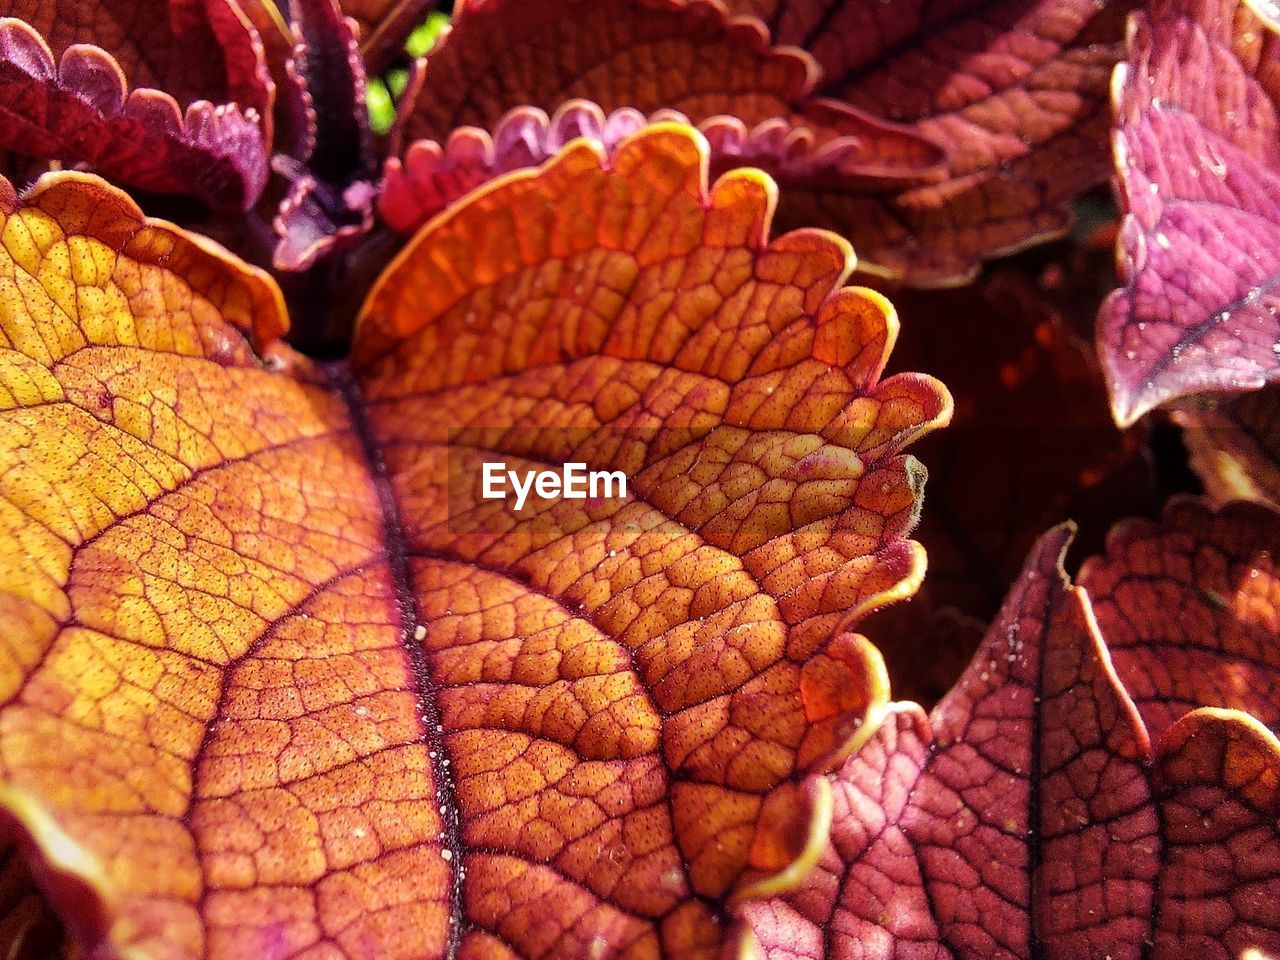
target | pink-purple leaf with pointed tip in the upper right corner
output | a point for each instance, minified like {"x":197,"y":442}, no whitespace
{"x":1197,"y":166}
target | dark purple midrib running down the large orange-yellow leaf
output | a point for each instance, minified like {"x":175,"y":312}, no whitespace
{"x":396,"y":551}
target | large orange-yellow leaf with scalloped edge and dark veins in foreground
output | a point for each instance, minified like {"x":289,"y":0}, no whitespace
{"x":277,"y":679}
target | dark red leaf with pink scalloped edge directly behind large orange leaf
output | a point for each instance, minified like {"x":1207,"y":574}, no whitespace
{"x":650,"y":57}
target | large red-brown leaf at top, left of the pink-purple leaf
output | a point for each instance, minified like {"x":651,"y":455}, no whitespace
{"x":1014,"y":90}
